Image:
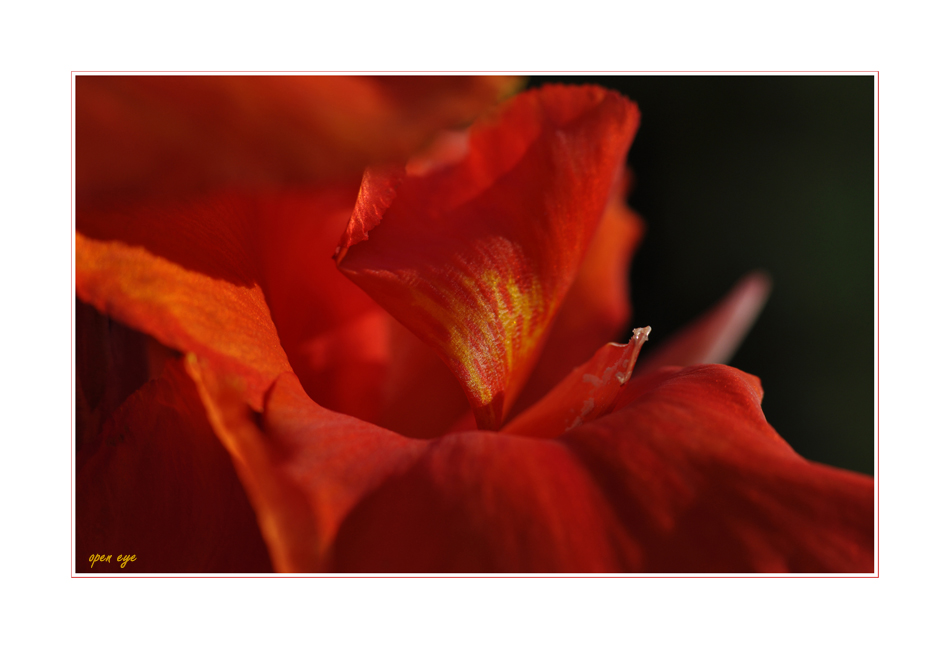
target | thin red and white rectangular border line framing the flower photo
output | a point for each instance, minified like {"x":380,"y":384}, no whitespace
{"x":76,"y":575}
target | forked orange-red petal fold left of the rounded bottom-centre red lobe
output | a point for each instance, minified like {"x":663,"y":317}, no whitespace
{"x":307,"y":468}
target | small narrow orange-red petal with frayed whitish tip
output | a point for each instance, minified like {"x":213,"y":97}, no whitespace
{"x":585,"y":394}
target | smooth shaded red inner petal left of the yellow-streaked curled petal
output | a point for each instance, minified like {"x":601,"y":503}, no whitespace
{"x":335,"y":336}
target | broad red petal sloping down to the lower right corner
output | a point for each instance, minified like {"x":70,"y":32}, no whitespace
{"x":702,"y":483}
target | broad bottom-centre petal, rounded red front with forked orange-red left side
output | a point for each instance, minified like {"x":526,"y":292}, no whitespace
{"x":311,"y":471}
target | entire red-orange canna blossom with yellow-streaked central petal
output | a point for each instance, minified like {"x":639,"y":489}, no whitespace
{"x":318,"y":332}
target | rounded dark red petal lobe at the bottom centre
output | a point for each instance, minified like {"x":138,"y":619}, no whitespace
{"x":483,"y":502}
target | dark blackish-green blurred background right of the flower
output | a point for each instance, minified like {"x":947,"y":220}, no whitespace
{"x":777,"y":173}
